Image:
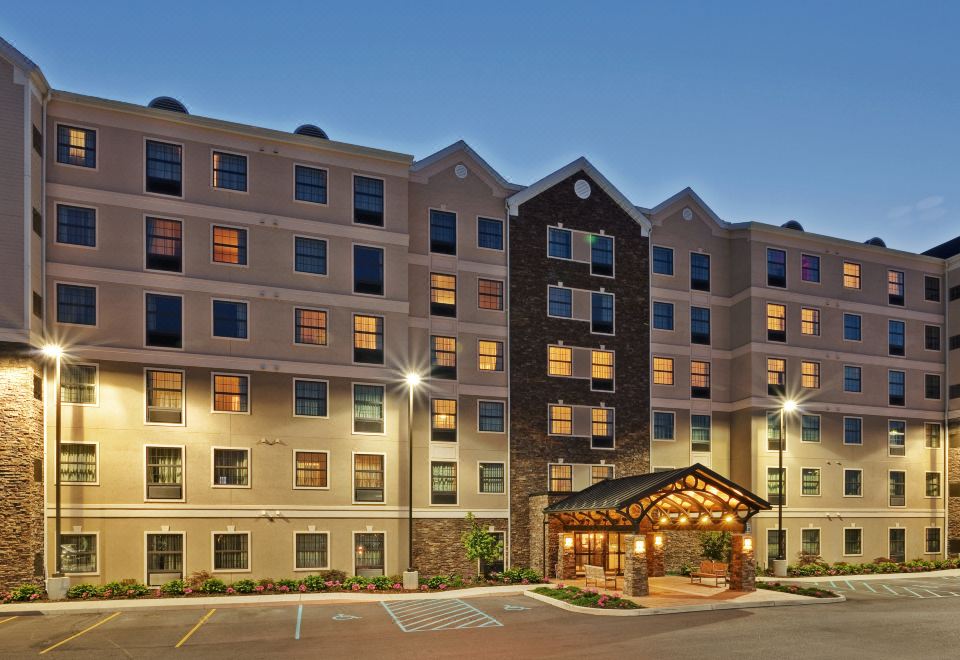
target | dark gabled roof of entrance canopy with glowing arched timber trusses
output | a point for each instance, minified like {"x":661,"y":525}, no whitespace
{"x":694,"y":498}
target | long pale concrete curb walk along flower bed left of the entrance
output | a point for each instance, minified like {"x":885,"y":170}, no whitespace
{"x":86,"y":606}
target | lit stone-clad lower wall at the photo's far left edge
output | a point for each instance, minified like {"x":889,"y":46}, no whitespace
{"x":21,"y":470}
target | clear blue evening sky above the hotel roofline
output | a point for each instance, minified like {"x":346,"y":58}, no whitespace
{"x":842,"y":115}
